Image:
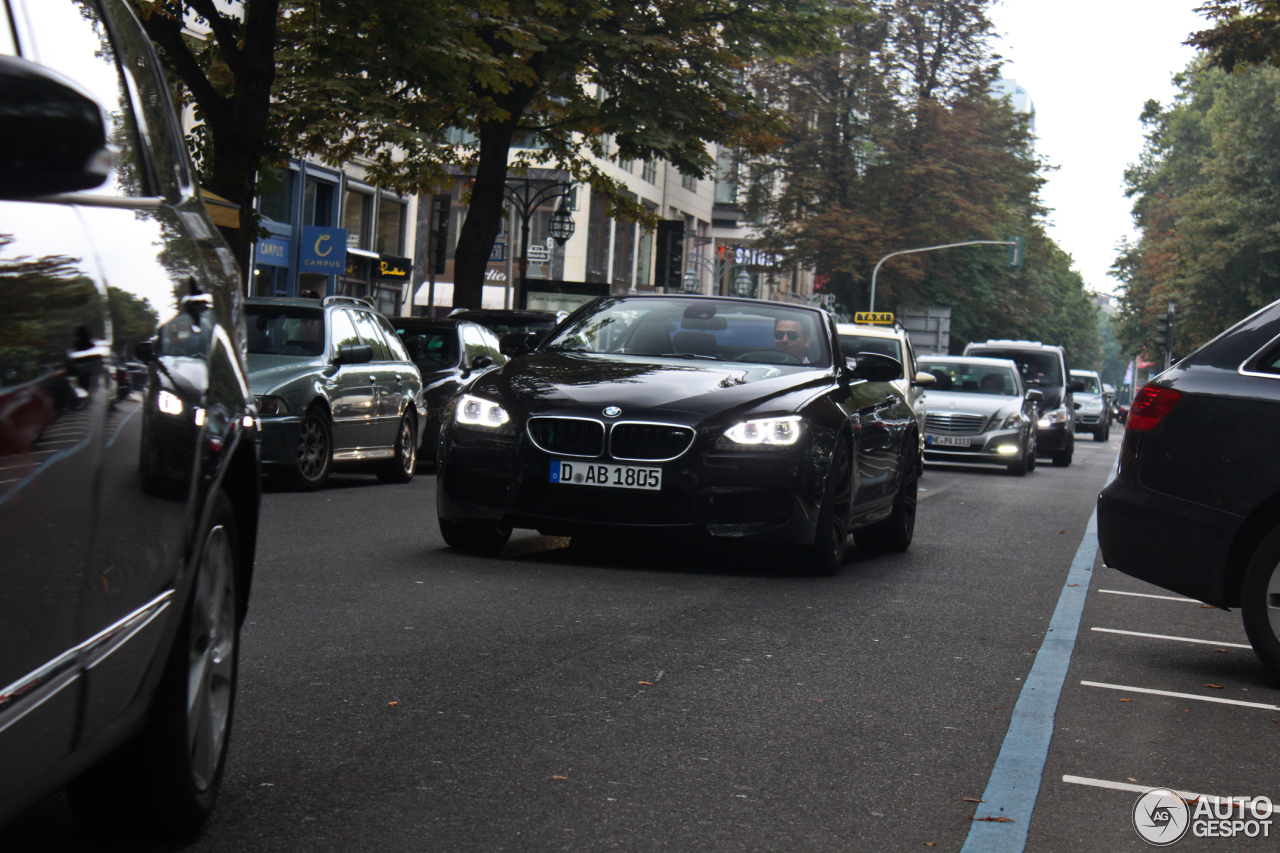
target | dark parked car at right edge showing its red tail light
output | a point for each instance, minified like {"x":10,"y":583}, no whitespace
{"x":1196,"y":503}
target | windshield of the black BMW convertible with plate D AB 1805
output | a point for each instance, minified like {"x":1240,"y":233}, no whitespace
{"x":693,"y":329}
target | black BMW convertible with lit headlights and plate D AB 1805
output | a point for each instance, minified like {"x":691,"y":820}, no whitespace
{"x":720,"y":418}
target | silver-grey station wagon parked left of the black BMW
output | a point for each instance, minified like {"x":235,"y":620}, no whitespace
{"x":335,"y":387}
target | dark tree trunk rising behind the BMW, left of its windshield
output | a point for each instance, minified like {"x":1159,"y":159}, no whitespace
{"x":484,"y":215}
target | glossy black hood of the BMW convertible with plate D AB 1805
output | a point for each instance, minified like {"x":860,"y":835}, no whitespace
{"x":685,"y":390}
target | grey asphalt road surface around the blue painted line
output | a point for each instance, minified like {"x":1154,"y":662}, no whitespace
{"x":399,"y":696}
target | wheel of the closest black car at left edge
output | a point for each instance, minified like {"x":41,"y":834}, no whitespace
{"x":164,"y":781}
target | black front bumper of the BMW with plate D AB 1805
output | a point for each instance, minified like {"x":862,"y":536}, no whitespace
{"x":730,"y":495}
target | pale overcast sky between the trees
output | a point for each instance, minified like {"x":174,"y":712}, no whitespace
{"x":1089,"y":67}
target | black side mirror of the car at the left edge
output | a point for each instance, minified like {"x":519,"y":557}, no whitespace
{"x":54,"y":134}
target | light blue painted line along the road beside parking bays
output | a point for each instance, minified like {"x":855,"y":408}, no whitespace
{"x":1014,"y":783}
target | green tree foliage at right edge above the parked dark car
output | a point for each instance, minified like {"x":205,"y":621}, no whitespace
{"x":1206,"y":207}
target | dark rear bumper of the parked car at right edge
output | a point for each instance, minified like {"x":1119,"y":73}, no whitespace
{"x":1173,"y":544}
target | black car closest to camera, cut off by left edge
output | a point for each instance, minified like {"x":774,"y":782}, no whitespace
{"x":129,"y":495}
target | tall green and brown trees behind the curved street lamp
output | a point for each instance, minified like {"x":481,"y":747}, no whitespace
{"x":897,"y":143}
